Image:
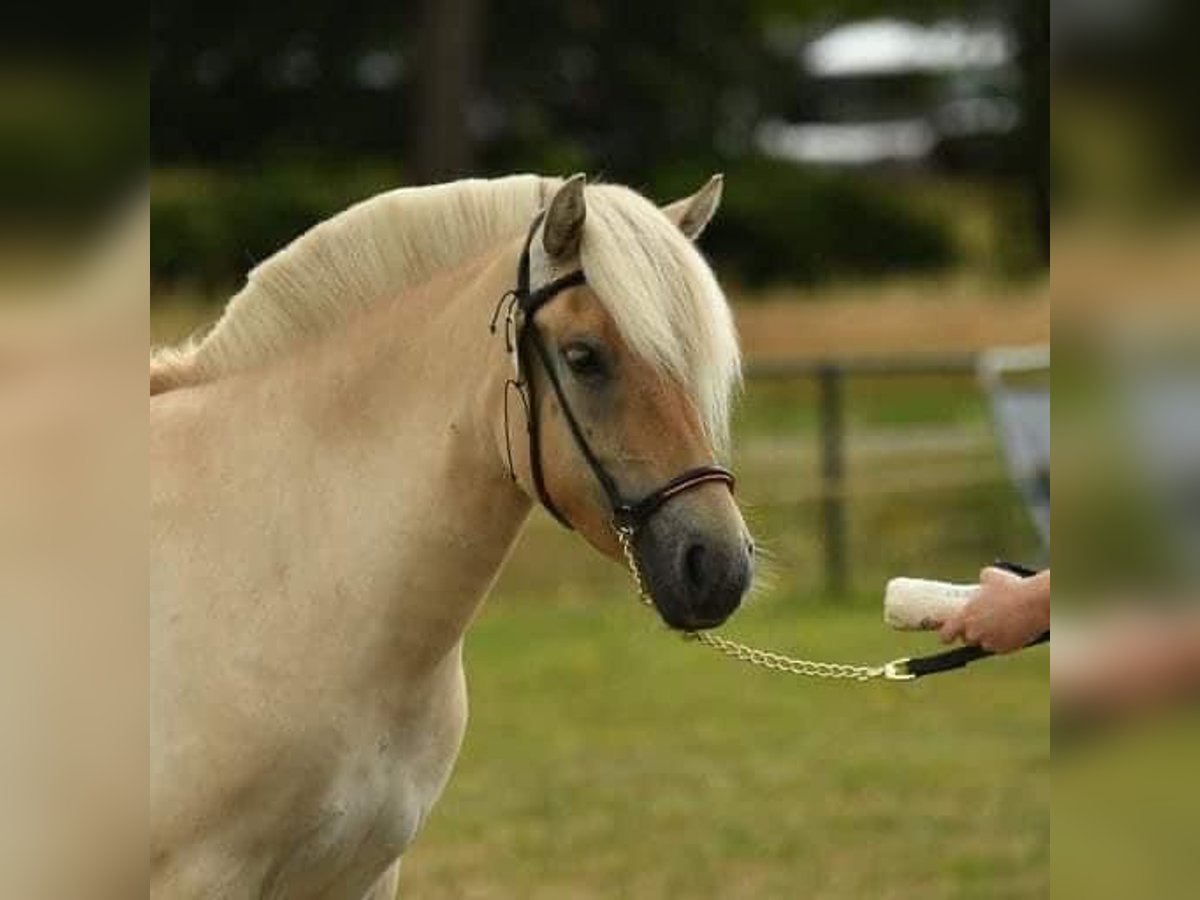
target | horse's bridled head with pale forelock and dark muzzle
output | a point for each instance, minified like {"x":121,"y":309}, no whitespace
{"x":632,"y":374}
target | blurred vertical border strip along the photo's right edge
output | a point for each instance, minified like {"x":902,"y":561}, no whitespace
{"x":1126,"y":285}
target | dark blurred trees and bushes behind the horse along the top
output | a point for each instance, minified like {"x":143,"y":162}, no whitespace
{"x":266,"y":119}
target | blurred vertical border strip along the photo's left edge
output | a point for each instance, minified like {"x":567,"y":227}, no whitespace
{"x":75,"y":248}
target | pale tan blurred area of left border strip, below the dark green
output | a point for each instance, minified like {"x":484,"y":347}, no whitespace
{"x":74,"y":718}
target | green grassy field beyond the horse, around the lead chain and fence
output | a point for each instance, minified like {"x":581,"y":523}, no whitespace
{"x":607,"y":759}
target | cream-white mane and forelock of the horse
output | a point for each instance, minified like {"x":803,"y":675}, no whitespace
{"x":655,"y":284}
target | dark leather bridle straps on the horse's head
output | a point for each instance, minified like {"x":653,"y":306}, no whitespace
{"x":524,"y":339}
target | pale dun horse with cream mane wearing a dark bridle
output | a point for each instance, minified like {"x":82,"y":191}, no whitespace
{"x":339,"y":471}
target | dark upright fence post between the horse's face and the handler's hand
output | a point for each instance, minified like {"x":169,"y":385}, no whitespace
{"x":831,"y":407}
